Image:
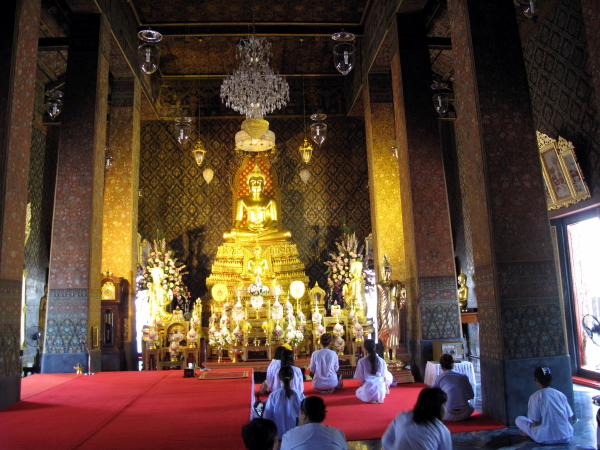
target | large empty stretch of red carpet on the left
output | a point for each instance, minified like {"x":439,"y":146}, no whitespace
{"x":133,"y":410}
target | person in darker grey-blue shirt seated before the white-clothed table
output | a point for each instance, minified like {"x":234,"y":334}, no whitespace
{"x":458,"y":389}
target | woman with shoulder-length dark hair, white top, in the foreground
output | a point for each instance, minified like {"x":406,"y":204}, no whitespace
{"x":422,"y":428}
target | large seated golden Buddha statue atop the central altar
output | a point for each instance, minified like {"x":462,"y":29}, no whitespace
{"x":256,"y":215}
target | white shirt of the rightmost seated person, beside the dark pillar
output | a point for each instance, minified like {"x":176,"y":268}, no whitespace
{"x":551,"y":408}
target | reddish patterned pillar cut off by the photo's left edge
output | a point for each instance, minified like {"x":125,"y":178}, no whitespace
{"x":19,"y":34}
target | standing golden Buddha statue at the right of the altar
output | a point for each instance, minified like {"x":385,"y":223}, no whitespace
{"x":391,"y":297}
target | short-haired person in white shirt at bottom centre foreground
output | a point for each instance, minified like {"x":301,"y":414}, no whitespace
{"x":311,"y":433}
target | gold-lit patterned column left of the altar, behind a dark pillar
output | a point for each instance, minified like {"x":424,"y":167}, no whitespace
{"x":119,"y":228}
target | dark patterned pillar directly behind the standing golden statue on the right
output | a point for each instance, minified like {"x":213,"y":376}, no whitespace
{"x":433,"y":311}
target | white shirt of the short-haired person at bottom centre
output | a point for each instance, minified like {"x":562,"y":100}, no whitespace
{"x":313,"y":436}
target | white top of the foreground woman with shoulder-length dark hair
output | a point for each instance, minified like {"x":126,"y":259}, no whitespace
{"x":404,"y":434}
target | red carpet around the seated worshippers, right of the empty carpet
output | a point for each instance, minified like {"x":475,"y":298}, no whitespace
{"x":359,"y":420}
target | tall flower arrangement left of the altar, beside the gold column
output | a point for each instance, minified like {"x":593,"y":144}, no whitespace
{"x":173,"y":271}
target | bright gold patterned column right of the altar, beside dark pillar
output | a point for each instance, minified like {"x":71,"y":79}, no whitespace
{"x":384,"y":185}
